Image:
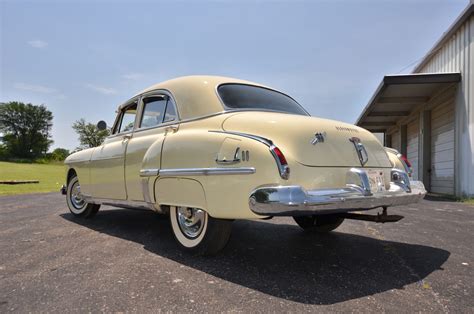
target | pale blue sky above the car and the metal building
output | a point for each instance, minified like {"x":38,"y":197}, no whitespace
{"x":84,"y":58}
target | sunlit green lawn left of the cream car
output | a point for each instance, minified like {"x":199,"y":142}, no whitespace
{"x":51,"y":177}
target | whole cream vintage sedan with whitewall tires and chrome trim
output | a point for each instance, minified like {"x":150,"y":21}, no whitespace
{"x":207,"y":150}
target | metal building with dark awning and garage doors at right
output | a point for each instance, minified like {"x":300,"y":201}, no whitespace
{"x":428,"y":115}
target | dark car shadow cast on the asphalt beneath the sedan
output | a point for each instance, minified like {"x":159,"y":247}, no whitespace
{"x":282,"y":261}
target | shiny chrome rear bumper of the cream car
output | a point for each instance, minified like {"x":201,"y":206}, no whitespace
{"x":295,"y":200}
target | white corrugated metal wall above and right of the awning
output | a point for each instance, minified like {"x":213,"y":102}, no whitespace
{"x":457,"y":55}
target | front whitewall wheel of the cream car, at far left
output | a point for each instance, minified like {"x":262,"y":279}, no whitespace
{"x":75,"y":201}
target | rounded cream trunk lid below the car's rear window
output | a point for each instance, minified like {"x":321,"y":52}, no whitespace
{"x":295,"y":136}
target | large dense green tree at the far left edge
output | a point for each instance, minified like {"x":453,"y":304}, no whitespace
{"x":26,"y":129}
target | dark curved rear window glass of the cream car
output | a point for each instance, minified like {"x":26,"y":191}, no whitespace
{"x":239,"y":96}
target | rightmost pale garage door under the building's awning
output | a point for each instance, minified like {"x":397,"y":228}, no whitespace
{"x":442,"y":149}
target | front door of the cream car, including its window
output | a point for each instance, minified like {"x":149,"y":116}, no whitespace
{"x":108,"y":160}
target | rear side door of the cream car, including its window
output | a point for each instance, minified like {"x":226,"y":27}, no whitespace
{"x":157,"y":117}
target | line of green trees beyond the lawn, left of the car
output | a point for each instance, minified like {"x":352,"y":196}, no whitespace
{"x":25,"y":133}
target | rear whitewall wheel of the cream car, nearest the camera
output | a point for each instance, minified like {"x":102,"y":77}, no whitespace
{"x":197,"y":232}
